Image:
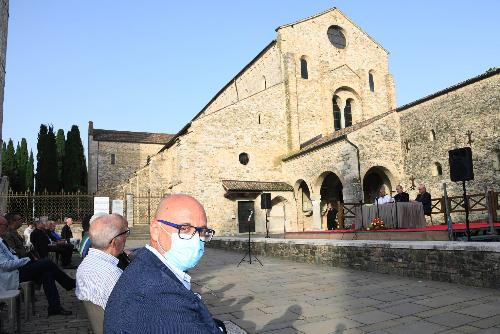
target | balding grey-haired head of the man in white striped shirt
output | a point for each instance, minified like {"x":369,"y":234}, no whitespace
{"x":104,"y":228}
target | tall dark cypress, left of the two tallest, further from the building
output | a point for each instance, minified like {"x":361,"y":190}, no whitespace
{"x":46,"y":171}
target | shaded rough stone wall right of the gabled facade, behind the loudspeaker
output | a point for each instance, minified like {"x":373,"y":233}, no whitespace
{"x":475,"y":108}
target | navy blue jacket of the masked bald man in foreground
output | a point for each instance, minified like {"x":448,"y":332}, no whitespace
{"x":148,"y":298}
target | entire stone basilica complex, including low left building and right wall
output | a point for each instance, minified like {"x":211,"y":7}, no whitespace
{"x":312,"y":118}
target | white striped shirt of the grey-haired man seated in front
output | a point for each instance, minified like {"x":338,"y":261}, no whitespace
{"x":96,"y":277}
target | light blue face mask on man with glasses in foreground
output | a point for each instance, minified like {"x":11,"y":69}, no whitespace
{"x":184,"y":254}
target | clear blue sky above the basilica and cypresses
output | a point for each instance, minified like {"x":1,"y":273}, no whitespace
{"x":152,"y":65}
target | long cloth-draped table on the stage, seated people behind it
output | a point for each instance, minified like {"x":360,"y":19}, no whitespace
{"x":409,"y":215}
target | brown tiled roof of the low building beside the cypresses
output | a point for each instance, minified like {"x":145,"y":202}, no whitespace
{"x":130,"y":137}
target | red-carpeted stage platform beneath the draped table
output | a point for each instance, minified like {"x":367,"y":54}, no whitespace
{"x":429,"y":233}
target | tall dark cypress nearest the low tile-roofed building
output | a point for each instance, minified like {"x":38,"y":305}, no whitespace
{"x":74,"y":167}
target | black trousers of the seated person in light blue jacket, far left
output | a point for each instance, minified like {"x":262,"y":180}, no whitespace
{"x":47,"y":272}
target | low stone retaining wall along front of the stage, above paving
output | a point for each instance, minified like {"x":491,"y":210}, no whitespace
{"x":475,"y":264}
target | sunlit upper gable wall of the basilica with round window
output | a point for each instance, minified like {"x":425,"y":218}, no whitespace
{"x":331,"y":71}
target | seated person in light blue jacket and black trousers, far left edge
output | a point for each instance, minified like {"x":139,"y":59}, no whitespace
{"x":14,"y":270}
